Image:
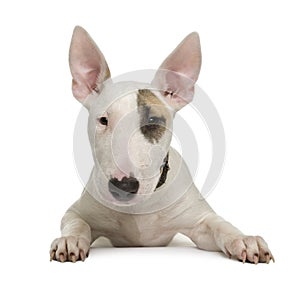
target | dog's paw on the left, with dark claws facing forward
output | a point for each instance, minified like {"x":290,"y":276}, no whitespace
{"x":69,"y":248}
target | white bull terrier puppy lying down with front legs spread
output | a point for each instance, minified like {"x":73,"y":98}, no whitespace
{"x":140,"y":192}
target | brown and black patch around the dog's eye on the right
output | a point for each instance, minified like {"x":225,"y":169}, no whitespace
{"x":153,"y":115}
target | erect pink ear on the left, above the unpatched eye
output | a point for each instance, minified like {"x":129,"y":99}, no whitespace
{"x":87,"y":64}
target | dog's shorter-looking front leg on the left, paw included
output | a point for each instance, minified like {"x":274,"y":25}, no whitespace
{"x":74,"y":244}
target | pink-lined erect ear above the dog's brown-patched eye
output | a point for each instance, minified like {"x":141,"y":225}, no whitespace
{"x":179,"y":72}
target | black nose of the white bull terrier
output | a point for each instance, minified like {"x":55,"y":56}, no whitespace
{"x":125,"y":189}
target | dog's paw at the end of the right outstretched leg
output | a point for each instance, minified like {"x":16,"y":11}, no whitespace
{"x":253,"y":249}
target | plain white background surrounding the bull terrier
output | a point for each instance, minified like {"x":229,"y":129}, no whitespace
{"x":250,"y":71}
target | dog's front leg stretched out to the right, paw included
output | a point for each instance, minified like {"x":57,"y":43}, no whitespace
{"x":214,"y":233}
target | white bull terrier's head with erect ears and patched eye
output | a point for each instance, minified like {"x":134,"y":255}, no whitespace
{"x":130,"y":124}
